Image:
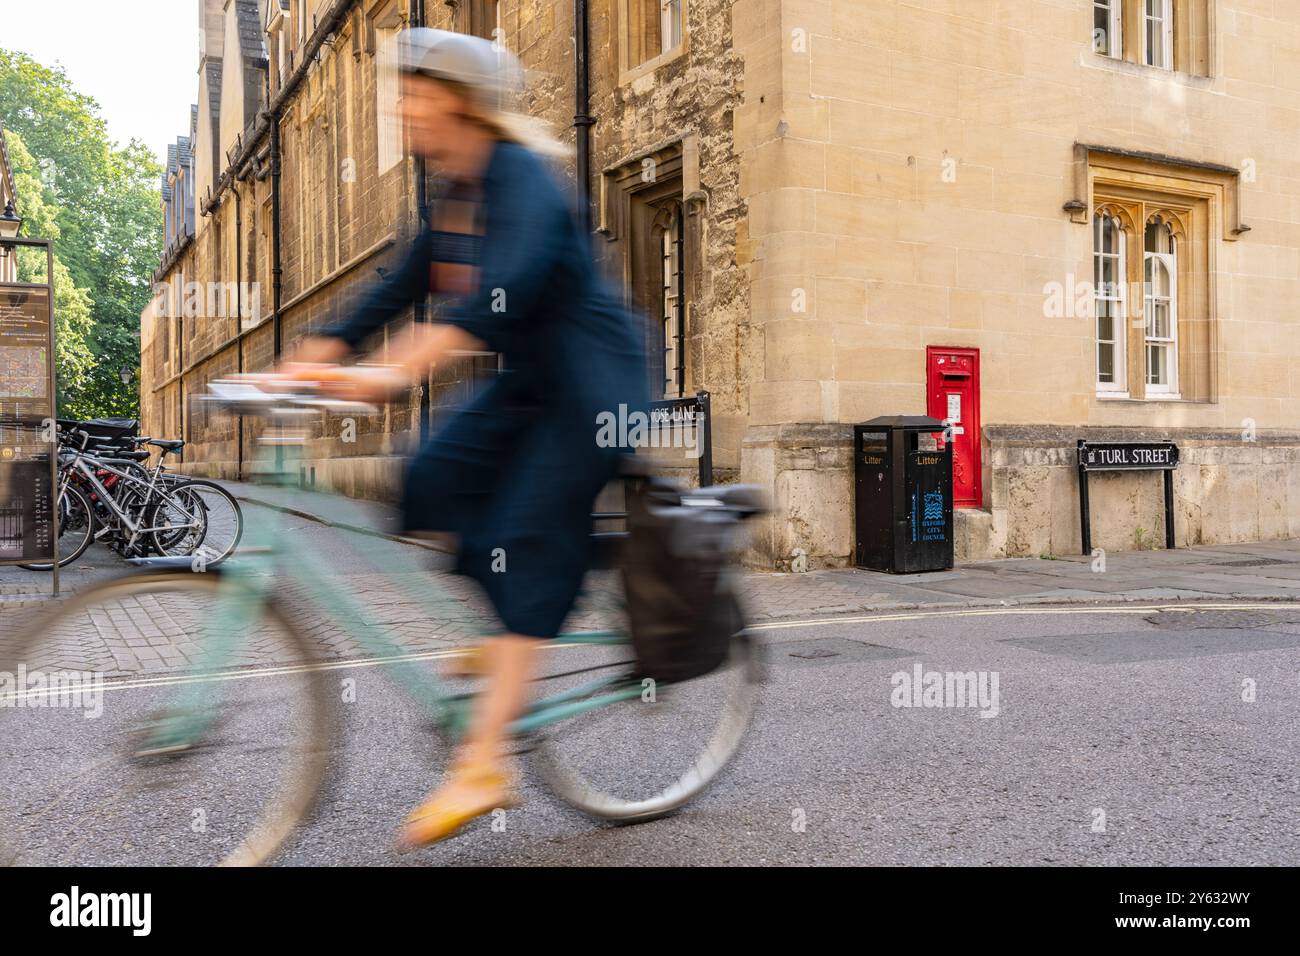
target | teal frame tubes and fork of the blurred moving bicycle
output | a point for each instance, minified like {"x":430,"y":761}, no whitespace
{"x":245,"y":590}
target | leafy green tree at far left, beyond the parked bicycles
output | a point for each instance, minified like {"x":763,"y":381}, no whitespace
{"x":109,"y":215}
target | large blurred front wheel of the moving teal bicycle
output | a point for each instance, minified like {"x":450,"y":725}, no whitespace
{"x":162,"y":720}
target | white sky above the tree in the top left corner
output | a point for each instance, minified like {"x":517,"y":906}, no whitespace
{"x":140,"y":59}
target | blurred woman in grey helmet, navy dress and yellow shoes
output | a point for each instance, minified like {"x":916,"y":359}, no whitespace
{"x":515,"y":474}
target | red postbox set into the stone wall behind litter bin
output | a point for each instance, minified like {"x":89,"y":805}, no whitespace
{"x":952,"y":395}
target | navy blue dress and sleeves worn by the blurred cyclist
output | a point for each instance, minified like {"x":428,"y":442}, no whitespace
{"x":517,"y":471}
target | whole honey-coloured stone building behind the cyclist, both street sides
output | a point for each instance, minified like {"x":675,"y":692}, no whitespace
{"x":1045,"y":220}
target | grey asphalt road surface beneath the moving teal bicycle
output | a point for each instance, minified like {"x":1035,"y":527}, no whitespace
{"x":1116,"y":737}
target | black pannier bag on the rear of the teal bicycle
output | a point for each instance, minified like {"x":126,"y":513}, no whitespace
{"x":683,"y":607}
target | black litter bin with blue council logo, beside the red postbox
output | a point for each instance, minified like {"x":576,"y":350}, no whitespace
{"x":904,"y":495}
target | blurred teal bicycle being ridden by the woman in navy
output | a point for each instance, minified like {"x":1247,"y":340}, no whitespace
{"x":232,"y":693}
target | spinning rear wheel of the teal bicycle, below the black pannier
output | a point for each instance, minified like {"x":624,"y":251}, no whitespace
{"x":658,"y":749}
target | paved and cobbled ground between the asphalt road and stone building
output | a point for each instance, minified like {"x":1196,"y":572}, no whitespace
{"x":150,"y":634}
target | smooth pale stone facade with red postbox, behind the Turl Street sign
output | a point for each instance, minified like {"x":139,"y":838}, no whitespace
{"x":1094,"y":204}
